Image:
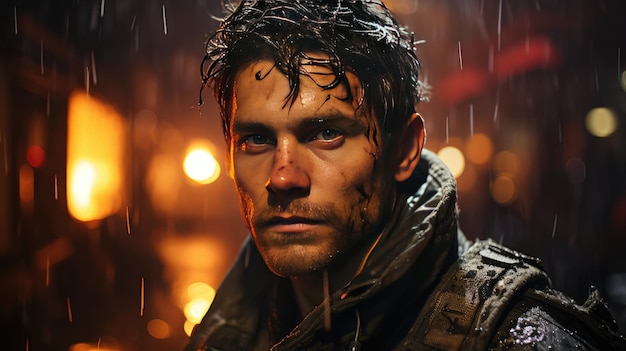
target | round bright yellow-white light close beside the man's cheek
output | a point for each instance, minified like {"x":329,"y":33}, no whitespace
{"x":200,"y":165}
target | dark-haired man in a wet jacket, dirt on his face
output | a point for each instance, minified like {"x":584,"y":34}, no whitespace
{"x":355,"y":243}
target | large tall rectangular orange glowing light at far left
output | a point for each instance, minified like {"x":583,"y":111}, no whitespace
{"x":95,"y":154}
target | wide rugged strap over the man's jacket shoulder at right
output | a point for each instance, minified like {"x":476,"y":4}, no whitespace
{"x":466,"y":305}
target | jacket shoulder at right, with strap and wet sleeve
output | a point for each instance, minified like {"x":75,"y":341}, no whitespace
{"x":497,"y":298}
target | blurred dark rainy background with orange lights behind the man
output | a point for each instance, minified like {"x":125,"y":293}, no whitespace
{"x":118,"y":221}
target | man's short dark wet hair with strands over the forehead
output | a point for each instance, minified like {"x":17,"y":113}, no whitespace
{"x":362,"y":37}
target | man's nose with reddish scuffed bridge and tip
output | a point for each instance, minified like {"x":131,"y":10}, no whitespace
{"x":288,"y":180}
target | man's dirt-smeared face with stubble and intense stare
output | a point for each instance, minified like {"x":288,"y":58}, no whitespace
{"x":310,"y":180}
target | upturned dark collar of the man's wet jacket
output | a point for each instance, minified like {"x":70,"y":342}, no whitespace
{"x":420,"y":242}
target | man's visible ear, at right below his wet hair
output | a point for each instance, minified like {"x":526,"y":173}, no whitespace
{"x":410,"y":147}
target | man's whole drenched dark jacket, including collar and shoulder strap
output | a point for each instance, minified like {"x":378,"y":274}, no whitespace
{"x":423,"y":287}
